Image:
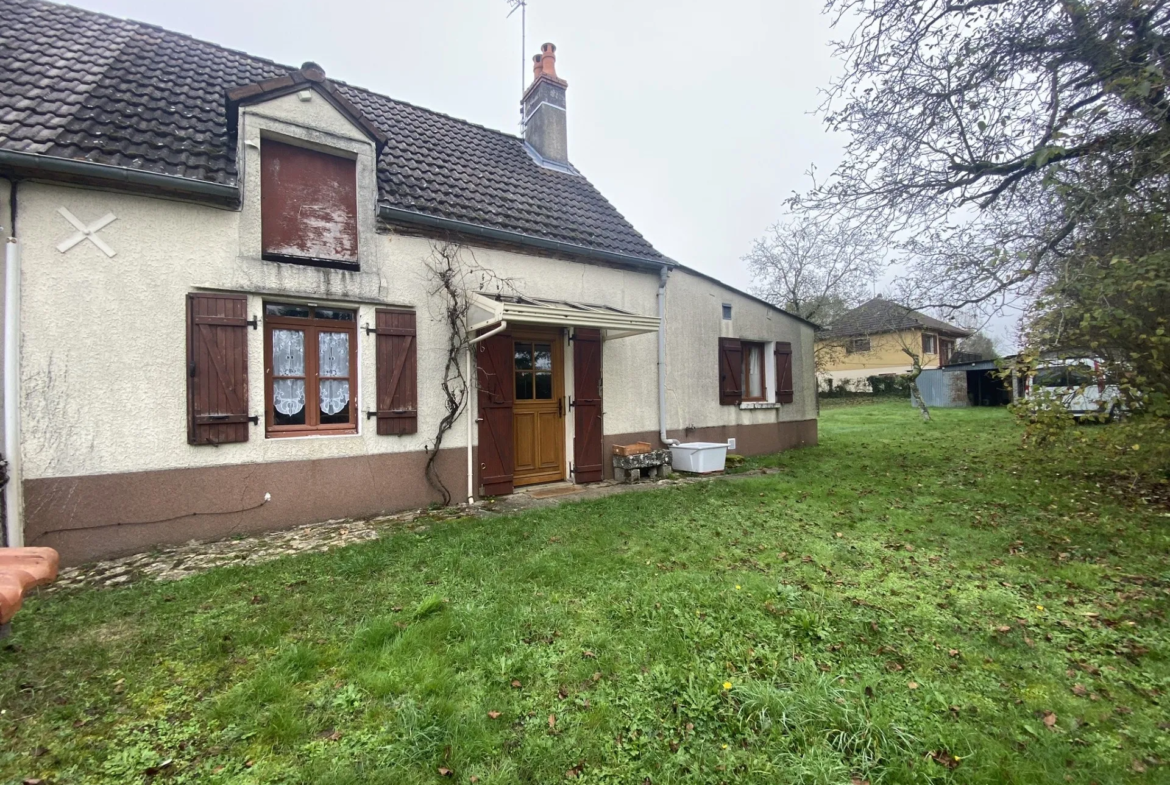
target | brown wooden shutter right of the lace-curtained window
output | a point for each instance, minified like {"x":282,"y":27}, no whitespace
{"x":398,"y":370}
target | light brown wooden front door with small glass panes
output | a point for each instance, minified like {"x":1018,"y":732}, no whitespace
{"x":539,"y":426}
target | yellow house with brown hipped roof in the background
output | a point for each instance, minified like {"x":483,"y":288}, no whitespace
{"x":873,"y":341}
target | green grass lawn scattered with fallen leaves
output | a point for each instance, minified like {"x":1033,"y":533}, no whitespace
{"x":905,"y":603}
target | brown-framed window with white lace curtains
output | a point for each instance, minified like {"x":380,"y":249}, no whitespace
{"x":311,"y":370}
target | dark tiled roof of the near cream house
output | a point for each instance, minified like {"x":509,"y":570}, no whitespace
{"x":85,"y":86}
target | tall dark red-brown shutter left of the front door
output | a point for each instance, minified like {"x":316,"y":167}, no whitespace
{"x":495,"y":394}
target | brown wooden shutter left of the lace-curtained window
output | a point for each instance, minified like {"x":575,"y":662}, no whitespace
{"x":217,"y":369}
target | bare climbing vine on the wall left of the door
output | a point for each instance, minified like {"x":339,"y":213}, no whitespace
{"x":453,"y":276}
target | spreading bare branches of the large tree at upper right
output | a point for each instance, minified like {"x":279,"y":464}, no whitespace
{"x":992,"y":136}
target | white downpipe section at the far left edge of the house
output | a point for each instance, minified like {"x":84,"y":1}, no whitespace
{"x":15,"y":495}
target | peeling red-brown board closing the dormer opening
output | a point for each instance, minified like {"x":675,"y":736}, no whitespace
{"x":308,"y":206}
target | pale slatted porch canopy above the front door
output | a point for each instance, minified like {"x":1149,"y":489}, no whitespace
{"x":490,"y":309}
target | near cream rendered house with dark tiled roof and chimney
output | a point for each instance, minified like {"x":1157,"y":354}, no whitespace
{"x":230,"y":287}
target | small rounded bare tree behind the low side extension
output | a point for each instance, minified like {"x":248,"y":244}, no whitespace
{"x":815,"y":268}
